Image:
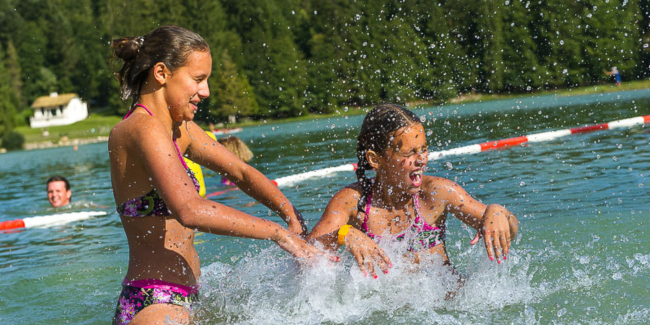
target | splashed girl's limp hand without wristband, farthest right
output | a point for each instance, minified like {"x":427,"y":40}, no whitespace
{"x":498,"y":228}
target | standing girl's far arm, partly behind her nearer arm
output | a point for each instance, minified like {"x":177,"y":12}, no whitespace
{"x":211,"y":154}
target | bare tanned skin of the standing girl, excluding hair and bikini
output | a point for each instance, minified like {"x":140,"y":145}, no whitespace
{"x":143,"y":157}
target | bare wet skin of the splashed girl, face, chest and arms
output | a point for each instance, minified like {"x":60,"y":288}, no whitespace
{"x":392,"y":208}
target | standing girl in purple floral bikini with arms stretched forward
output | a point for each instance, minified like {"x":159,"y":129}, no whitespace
{"x":165,"y":72}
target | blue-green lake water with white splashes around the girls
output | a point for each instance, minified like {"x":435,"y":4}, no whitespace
{"x":582,"y":255}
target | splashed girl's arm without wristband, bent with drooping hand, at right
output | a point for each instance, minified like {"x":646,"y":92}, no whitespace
{"x":495,"y":223}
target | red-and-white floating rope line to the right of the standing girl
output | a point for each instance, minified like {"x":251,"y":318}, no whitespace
{"x":475,"y":148}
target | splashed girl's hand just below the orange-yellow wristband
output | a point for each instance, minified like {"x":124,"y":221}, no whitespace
{"x":366,"y":252}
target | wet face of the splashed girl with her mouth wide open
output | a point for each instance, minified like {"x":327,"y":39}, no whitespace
{"x":402,"y":164}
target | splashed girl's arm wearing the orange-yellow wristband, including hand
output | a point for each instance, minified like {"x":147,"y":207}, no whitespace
{"x":339,"y":212}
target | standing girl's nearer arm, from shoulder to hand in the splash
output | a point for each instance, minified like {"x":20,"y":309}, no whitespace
{"x":152,"y":146}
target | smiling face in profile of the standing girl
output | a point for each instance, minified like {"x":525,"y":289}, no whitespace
{"x":188,"y":85}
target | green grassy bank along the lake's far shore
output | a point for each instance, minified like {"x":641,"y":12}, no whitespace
{"x":100,"y":124}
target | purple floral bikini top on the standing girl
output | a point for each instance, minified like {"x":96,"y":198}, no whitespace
{"x":152,"y":204}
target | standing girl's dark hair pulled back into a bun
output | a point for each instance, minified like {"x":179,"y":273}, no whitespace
{"x":171,"y":45}
